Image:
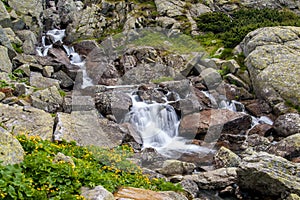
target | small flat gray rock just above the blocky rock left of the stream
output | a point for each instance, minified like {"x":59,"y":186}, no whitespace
{"x":37,"y":80}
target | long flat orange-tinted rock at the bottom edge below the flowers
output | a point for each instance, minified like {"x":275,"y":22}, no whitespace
{"x":142,"y":194}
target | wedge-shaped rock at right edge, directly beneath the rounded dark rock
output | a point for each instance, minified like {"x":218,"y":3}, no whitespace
{"x":288,"y":148}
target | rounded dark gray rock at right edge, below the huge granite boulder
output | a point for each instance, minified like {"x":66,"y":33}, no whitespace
{"x":287,"y":124}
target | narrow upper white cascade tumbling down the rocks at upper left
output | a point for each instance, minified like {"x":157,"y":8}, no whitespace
{"x":56,"y":35}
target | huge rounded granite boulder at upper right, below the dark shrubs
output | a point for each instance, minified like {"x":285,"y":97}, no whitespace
{"x":272,"y":58}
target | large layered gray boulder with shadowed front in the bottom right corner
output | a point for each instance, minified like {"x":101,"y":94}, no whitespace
{"x":268,"y":175}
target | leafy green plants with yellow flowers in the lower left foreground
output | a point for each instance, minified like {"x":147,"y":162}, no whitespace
{"x":42,"y":176}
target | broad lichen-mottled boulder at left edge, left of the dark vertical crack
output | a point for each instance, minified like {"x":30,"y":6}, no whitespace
{"x":20,"y":120}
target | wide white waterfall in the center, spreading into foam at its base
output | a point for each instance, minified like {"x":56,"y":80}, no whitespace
{"x":158,"y":124}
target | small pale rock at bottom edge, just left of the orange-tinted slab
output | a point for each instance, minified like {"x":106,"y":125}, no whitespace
{"x":99,"y":192}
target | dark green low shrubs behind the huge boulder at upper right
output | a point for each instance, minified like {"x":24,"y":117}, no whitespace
{"x":231,"y":29}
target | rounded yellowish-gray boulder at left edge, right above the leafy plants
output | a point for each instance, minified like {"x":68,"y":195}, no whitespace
{"x":11,"y":151}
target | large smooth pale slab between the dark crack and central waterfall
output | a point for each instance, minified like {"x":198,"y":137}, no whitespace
{"x":89,"y":130}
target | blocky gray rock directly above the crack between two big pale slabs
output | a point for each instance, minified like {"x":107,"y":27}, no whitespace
{"x":48,"y":100}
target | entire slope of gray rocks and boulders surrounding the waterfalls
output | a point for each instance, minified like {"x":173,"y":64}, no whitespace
{"x":42,"y":95}
